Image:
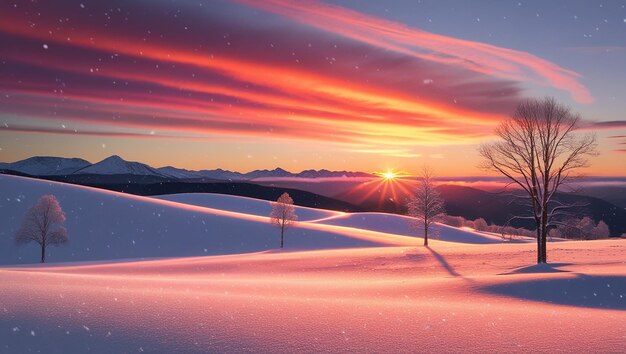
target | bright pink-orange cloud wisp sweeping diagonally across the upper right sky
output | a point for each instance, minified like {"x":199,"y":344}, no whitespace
{"x":476,"y":56}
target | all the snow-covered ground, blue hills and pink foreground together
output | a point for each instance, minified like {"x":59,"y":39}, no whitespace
{"x":347,"y":284}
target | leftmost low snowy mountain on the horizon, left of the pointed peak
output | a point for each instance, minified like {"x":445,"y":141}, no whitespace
{"x":46,"y":165}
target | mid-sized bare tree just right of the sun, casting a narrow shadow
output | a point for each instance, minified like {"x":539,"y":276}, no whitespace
{"x":426,"y":206}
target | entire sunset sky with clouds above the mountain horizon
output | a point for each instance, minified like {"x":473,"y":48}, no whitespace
{"x":341,"y":85}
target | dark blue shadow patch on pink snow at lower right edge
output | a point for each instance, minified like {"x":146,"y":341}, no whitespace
{"x":602,"y":292}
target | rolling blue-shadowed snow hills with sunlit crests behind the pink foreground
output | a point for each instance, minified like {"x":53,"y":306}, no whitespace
{"x":106,"y":225}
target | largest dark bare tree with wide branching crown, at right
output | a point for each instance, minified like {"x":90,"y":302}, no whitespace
{"x":539,"y":151}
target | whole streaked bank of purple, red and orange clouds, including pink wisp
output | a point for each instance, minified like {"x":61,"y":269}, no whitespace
{"x":226,"y":69}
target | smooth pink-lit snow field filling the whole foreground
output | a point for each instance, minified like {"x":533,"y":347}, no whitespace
{"x":446,"y":298}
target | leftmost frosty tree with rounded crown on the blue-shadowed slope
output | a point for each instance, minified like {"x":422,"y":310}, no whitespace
{"x":43,"y":224}
